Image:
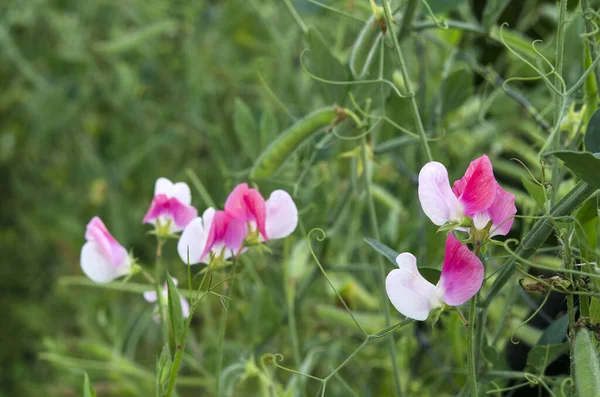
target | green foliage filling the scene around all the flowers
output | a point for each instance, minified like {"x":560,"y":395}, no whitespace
{"x":100,"y":98}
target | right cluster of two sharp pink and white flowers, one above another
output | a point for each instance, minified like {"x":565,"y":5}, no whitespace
{"x":475,"y":204}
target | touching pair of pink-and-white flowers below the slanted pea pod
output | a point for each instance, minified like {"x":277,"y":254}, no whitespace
{"x":246,"y":211}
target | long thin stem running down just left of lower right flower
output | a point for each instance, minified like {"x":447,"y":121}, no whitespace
{"x":386,"y":308}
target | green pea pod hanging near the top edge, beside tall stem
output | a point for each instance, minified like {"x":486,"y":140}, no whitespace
{"x":365,"y":47}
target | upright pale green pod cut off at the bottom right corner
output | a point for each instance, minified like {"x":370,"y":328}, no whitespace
{"x":587,"y":367}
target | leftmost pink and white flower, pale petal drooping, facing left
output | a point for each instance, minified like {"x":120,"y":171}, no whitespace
{"x":103,"y":259}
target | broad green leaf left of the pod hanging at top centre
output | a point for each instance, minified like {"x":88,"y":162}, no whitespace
{"x":323,"y":64}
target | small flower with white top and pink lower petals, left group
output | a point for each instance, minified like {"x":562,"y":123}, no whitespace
{"x":171,"y":203}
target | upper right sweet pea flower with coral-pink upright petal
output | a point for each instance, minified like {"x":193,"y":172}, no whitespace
{"x":476,"y":195}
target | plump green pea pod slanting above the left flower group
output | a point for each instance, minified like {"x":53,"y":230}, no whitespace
{"x":289,"y":140}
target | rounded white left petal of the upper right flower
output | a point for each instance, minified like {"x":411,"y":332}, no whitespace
{"x":435,"y":194}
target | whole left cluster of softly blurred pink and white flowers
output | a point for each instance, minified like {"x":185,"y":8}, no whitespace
{"x":247,"y":220}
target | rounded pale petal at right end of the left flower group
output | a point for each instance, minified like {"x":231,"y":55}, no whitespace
{"x":281,"y":214}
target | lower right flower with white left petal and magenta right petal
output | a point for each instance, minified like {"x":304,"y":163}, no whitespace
{"x":414,"y":297}
